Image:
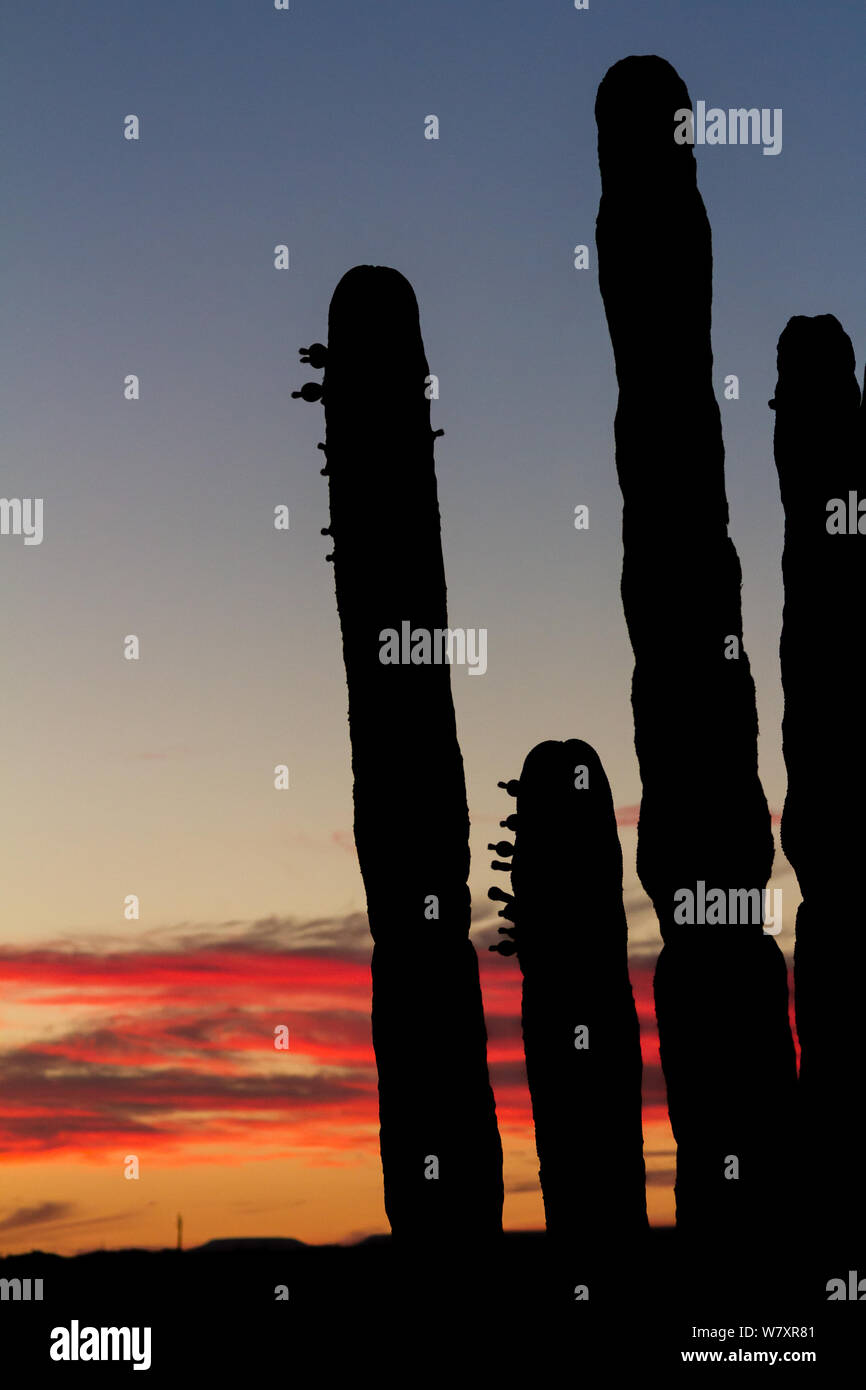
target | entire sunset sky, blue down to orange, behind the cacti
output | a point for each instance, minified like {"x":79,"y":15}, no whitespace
{"x":156,"y":778}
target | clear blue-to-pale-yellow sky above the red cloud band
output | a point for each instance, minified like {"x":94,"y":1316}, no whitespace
{"x":156,"y":258}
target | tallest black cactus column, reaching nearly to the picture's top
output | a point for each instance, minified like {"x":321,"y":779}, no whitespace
{"x":721,"y":989}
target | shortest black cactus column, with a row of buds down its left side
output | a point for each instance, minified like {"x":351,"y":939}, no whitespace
{"x":580,"y":1024}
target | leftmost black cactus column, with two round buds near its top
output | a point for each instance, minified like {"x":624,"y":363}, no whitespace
{"x":441,"y":1152}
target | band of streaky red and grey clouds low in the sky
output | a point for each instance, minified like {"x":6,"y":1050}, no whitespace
{"x":169,"y":1049}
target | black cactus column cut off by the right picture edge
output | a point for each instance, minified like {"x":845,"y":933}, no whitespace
{"x":821,"y":462}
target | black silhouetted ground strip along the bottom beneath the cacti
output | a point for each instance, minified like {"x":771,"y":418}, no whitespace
{"x":368,"y":1313}
